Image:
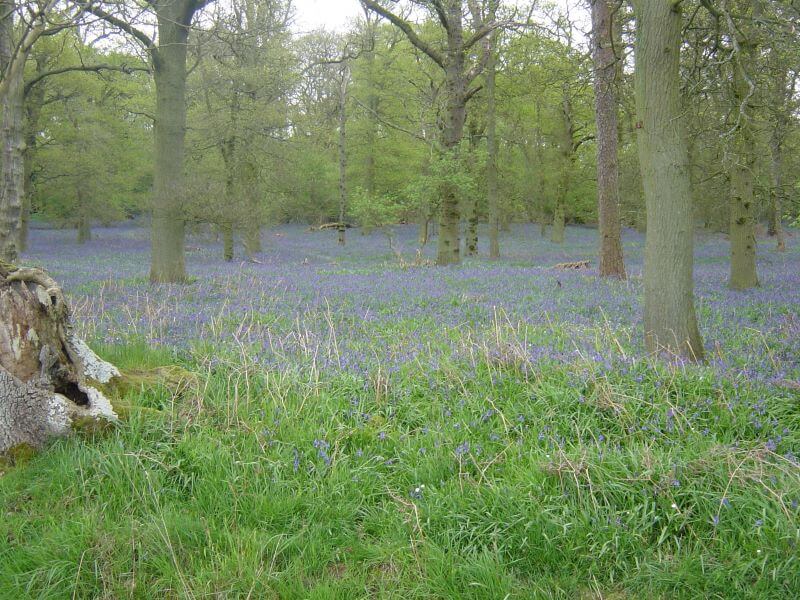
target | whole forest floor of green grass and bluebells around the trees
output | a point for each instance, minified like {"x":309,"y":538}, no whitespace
{"x":364,"y":428}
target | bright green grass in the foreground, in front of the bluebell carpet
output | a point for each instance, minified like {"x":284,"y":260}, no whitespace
{"x":288,"y":485}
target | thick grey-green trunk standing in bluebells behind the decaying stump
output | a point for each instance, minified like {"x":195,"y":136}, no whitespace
{"x":168,"y":262}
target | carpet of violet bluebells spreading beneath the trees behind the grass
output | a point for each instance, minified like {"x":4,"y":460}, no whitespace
{"x":356,"y":308}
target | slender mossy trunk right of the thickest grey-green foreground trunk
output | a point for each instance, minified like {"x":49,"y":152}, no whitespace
{"x":742,"y":209}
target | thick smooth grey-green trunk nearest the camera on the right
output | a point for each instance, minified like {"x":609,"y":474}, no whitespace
{"x":670,"y":323}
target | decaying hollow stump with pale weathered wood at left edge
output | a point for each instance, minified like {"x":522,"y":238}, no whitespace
{"x":49,"y":378}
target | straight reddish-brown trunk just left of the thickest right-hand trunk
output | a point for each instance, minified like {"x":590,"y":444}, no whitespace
{"x":605,"y":90}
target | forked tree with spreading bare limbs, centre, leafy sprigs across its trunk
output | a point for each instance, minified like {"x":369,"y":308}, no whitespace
{"x":458,"y":77}
